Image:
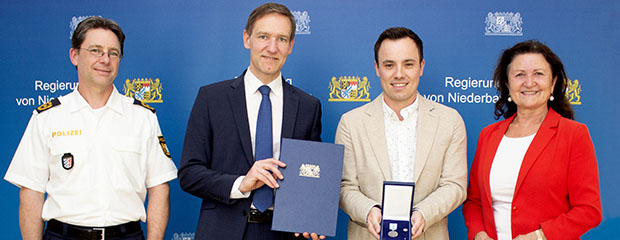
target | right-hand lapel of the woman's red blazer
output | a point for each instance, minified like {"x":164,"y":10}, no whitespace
{"x":545,"y":132}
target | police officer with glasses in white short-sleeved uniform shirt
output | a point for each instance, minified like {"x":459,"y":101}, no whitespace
{"x":95,"y":152}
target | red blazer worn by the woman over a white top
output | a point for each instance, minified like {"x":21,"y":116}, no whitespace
{"x":557,"y":187}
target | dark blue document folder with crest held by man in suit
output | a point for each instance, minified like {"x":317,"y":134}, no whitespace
{"x":307,"y":200}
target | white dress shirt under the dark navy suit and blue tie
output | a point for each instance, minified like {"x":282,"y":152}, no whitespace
{"x":253,"y":97}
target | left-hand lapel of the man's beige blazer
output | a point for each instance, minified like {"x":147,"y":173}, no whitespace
{"x":375,"y":130}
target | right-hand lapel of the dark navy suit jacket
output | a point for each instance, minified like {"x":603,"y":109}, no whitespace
{"x":290,"y":105}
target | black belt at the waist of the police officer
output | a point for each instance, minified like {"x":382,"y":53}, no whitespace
{"x":93,"y":233}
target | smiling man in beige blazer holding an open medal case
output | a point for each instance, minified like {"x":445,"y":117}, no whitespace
{"x":402,"y":136}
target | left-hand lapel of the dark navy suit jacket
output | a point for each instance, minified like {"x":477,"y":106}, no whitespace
{"x":236,"y":97}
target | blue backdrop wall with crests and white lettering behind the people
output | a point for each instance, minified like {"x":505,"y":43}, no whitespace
{"x":187,"y":44}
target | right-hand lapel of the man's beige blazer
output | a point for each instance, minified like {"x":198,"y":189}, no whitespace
{"x":426,"y":132}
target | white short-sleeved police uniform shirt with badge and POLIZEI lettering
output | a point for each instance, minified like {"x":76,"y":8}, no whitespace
{"x":116,"y":152}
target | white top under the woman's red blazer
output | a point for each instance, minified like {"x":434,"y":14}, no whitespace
{"x":503,"y":180}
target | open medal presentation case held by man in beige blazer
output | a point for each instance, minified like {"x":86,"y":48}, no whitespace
{"x":397,"y":204}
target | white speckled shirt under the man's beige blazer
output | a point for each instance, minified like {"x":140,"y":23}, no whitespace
{"x":401,"y":140}
